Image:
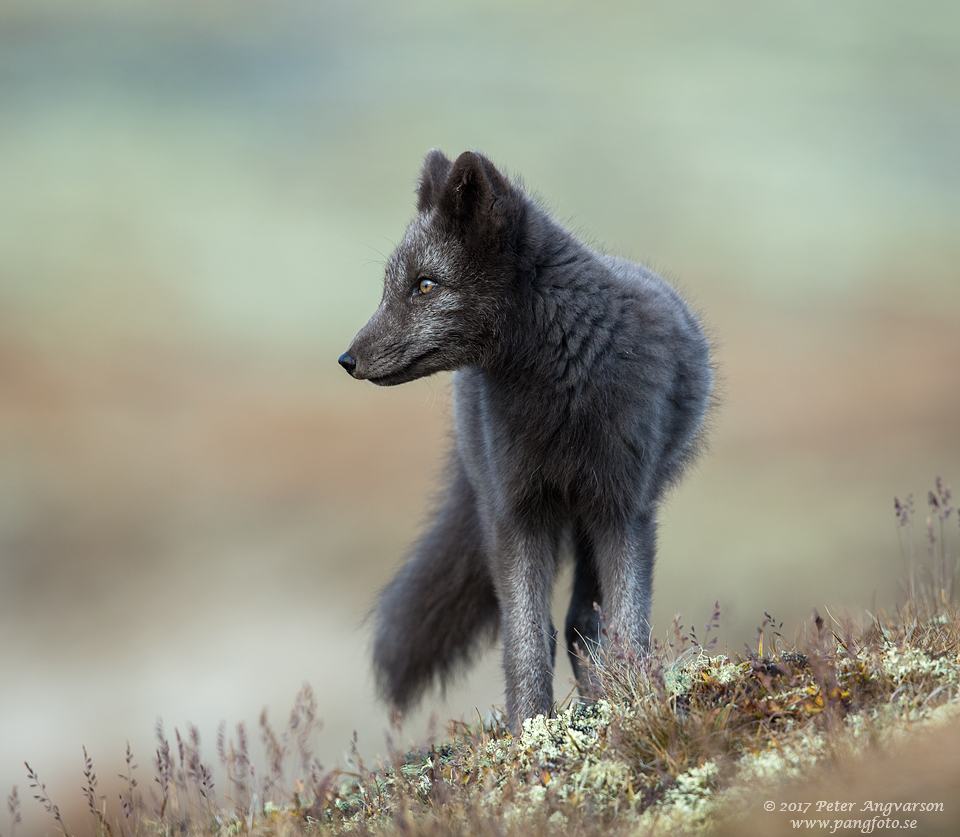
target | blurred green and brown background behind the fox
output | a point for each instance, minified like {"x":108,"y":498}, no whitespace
{"x":197,"y":506}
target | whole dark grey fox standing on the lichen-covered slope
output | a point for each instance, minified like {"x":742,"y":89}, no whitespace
{"x":581,"y":385}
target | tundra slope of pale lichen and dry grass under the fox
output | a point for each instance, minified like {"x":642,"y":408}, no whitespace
{"x":678,"y":741}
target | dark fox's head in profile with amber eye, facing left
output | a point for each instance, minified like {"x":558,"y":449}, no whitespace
{"x":447,"y":285}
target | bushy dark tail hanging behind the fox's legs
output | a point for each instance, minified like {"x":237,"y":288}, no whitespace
{"x":433,"y":616}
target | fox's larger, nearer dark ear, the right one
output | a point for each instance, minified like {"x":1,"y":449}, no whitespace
{"x":477,"y":198}
